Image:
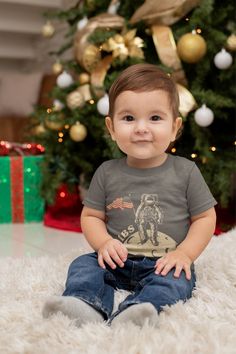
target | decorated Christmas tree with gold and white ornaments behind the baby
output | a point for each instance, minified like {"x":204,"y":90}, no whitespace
{"x":192,"y":40}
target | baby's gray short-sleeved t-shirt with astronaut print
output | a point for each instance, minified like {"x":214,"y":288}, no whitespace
{"x":149,"y":210}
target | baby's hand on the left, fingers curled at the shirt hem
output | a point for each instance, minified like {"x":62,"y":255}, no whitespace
{"x":112,"y":251}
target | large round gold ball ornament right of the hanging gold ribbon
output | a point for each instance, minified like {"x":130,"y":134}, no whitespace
{"x":191,"y":47}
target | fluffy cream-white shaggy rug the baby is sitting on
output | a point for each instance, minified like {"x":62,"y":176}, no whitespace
{"x":206,"y":324}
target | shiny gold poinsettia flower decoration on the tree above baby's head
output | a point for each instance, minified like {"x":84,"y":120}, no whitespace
{"x":123,"y":46}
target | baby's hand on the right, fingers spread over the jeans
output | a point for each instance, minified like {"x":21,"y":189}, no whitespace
{"x":175,"y":259}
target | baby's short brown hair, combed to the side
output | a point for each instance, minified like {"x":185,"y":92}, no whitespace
{"x":144,"y":77}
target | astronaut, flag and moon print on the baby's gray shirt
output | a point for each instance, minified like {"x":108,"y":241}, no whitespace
{"x":143,"y":236}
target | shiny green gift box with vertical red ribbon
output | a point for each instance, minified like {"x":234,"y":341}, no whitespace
{"x":20,"y":179}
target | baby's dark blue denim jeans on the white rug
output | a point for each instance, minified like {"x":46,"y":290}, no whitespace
{"x":89,"y":282}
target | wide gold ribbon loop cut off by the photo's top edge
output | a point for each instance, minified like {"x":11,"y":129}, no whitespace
{"x":167,"y":12}
